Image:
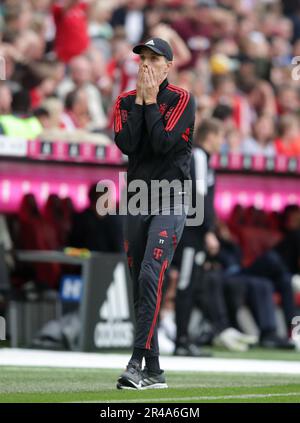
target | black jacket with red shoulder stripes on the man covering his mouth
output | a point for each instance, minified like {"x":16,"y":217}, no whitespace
{"x":158,"y":137}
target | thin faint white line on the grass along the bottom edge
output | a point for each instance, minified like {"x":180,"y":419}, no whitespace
{"x":201,"y":398}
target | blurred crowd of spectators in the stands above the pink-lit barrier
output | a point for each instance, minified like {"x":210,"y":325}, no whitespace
{"x":67,"y":61}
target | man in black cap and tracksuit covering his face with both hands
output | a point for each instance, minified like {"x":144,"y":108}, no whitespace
{"x":154,"y":126}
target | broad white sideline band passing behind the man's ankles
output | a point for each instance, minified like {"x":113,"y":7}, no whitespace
{"x":62,"y":359}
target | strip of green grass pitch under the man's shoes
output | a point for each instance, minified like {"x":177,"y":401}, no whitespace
{"x":29,"y":385}
